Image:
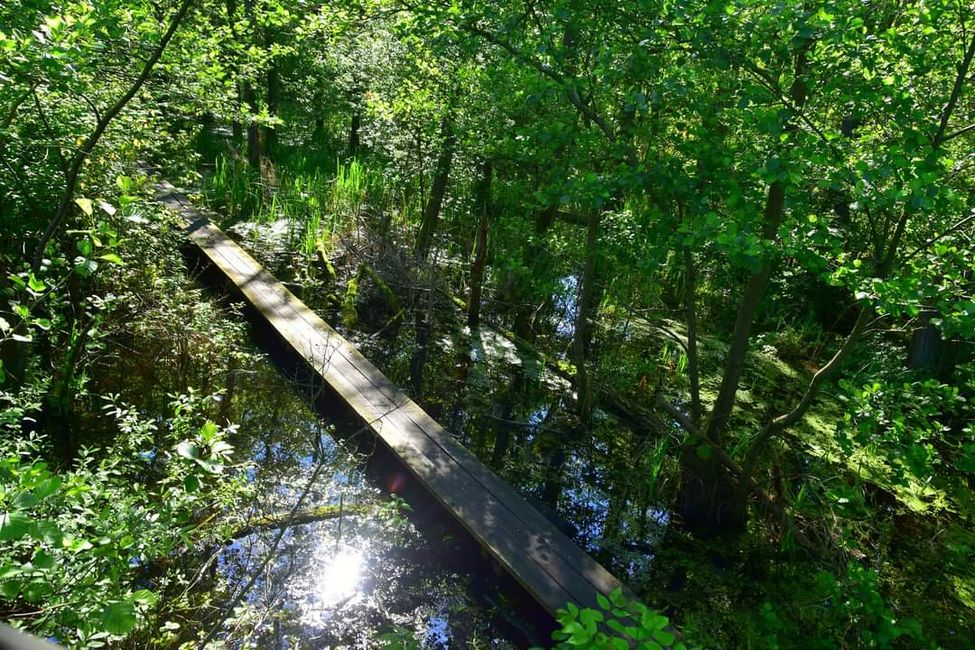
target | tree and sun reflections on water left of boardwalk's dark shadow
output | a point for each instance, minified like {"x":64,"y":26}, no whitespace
{"x":359,"y":571}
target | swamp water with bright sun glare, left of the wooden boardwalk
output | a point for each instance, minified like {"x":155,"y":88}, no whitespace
{"x":335,"y":547}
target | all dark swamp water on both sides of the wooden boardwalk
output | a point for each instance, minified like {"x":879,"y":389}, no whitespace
{"x":336,"y":547}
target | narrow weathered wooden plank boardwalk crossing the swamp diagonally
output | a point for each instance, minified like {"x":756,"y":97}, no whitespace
{"x":553,"y":569}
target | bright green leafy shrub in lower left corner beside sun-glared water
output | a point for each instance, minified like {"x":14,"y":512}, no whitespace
{"x":78,"y":545}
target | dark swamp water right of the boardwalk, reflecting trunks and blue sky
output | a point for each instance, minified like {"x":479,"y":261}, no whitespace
{"x":508,"y":405}
